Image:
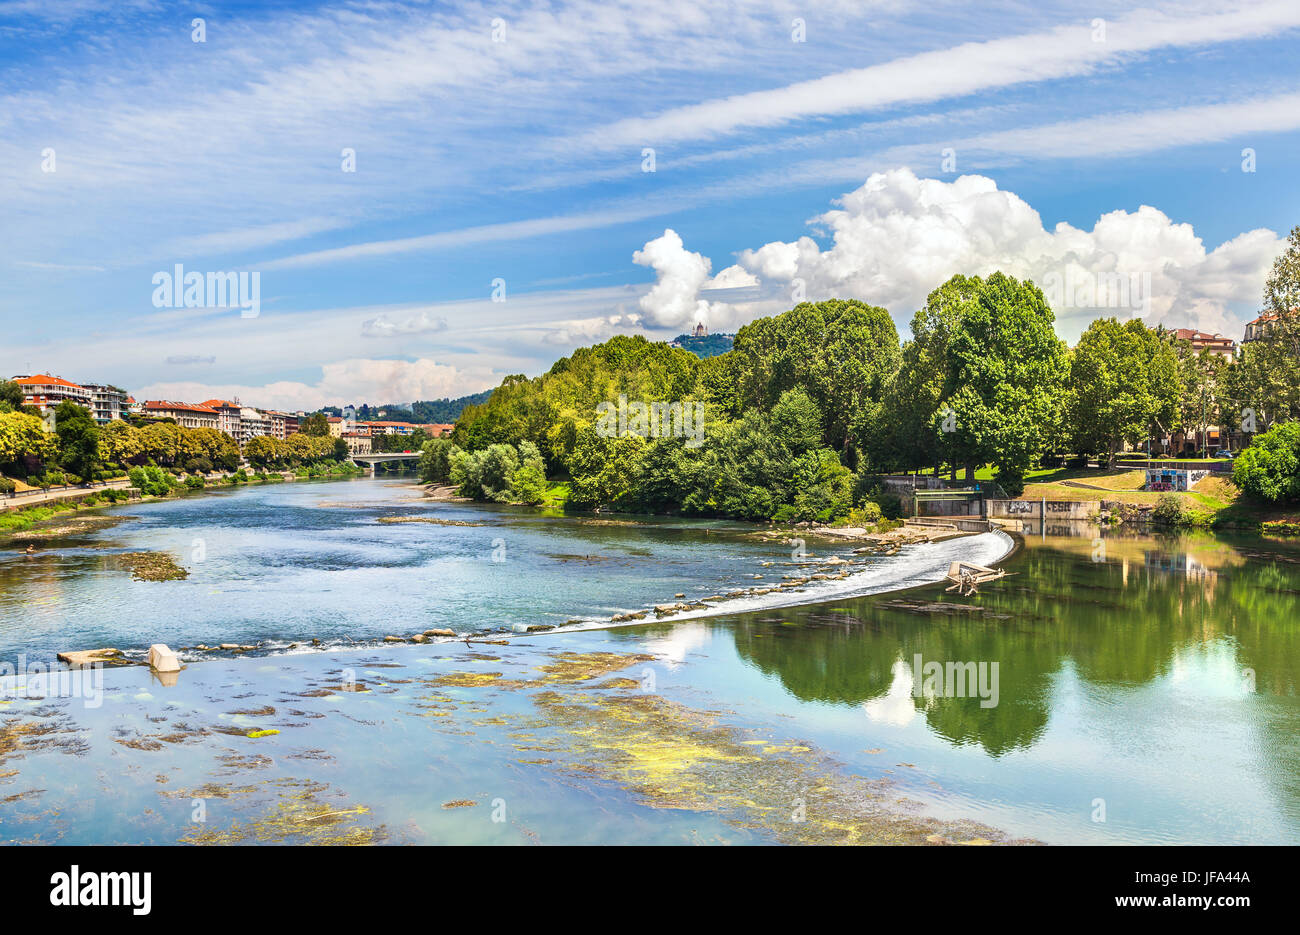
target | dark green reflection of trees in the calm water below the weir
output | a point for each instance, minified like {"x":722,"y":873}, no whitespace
{"x":1119,"y":624}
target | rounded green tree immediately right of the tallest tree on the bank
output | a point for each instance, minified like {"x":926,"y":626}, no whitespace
{"x":1123,"y":379}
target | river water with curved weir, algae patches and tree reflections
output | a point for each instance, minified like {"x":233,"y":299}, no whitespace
{"x":1145,"y":687}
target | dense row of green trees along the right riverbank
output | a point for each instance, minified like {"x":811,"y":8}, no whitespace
{"x":811,"y":408}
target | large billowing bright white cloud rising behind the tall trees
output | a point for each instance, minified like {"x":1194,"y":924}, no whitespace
{"x":898,"y":237}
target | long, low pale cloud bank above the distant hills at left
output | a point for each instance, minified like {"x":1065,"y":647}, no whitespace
{"x":357,"y":380}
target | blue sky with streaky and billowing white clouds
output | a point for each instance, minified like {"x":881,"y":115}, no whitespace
{"x":431,"y":197}
